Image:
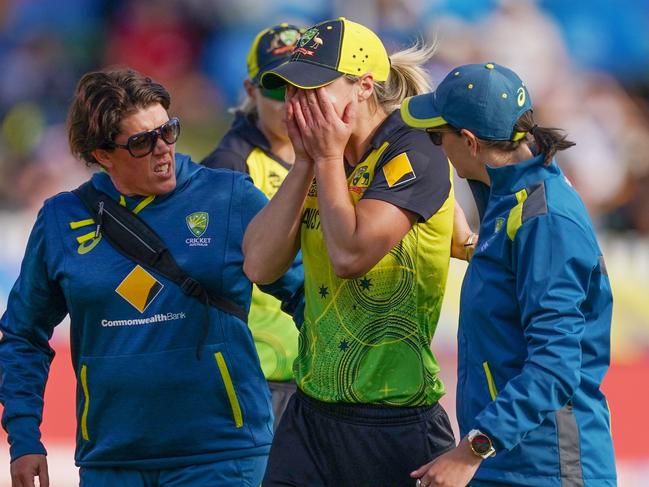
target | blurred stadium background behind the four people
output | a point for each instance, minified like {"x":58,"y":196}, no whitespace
{"x":586,"y":63}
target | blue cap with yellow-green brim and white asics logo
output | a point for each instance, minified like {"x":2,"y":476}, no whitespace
{"x":487,"y":99}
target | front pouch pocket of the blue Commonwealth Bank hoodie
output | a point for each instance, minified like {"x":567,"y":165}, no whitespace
{"x":168,"y":404}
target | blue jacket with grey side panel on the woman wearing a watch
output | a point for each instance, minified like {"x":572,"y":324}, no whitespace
{"x":534,"y":334}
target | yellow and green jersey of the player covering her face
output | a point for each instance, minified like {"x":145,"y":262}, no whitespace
{"x":367,"y":340}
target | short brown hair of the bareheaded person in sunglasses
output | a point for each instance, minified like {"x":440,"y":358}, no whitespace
{"x":101,"y":101}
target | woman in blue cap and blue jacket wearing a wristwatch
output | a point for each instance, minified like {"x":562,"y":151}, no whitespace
{"x":535,"y":311}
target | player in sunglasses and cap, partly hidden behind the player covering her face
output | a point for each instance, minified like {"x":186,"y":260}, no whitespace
{"x":258,"y":144}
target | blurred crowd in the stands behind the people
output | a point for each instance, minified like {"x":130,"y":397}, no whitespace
{"x":586,"y":63}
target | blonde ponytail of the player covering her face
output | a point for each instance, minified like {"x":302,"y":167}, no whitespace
{"x":407,"y":77}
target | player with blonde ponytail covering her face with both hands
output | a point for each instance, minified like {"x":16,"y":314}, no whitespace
{"x":370,"y":203}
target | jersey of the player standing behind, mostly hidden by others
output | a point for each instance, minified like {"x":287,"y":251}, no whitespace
{"x":244,"y":148}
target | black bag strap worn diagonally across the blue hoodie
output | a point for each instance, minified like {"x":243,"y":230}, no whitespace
{"x":132,"y":237}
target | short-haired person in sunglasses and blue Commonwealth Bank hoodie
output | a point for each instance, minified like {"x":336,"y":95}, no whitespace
{"x":151,"y":411}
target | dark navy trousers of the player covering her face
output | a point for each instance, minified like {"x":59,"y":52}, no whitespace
{"x":321,"y":444}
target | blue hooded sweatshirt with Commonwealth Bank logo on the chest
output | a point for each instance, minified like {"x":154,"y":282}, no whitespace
{"x":144,"y":398}
